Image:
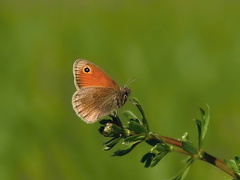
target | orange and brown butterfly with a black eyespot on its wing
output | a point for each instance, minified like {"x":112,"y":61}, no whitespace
{"x":97,"y":94}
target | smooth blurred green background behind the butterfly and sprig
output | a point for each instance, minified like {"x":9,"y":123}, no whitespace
{"x":184,"y":53}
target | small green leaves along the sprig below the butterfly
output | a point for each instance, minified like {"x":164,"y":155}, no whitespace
{"x":137,"y":131}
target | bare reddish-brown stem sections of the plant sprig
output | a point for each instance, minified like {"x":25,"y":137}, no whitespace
{"x":205,"y":156}
